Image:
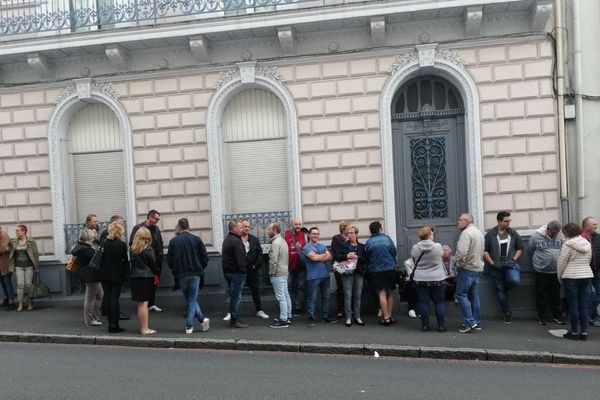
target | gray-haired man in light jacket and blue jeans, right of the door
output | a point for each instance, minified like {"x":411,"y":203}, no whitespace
{"x":469,"y":264}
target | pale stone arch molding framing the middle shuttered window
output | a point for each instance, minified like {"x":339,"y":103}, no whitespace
{"x":230,"y":84}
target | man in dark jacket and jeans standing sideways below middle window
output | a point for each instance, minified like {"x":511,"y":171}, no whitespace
{"x":233,"y":260}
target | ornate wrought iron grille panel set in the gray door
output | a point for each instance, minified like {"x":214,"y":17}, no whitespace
{"x":429,"y":180}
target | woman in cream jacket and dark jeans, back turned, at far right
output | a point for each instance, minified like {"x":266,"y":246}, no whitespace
{"x":576,"y":275}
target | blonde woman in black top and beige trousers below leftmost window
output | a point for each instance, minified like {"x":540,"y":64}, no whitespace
{"x":92,"y":303}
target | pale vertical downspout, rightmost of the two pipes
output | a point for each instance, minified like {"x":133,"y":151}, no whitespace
{"x":578,"y":89}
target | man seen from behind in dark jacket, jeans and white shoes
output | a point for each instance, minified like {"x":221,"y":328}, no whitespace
{"x":187,"y":259}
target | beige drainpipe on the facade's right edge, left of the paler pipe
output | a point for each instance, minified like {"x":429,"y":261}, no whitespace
{"x":560,"y":82}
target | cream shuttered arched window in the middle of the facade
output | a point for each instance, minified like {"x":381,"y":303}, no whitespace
{"x":255,"y":147}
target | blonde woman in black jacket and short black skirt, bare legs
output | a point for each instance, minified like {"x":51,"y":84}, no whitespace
{"x":144,"y":276}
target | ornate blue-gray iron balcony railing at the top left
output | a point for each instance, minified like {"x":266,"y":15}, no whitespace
{"x":64,"y":16}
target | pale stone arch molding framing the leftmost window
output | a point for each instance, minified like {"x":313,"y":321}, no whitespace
{"x":68,"y":103}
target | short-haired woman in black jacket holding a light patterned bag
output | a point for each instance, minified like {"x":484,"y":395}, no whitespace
{"x":353,"y":250}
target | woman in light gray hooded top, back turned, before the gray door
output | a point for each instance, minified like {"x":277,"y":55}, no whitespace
{"x":429,"y":276}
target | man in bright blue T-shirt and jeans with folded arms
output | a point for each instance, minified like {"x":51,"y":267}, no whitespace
{"x":317,"y":277}
